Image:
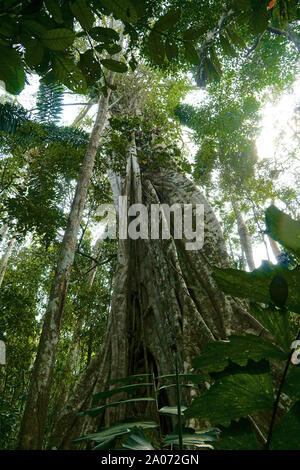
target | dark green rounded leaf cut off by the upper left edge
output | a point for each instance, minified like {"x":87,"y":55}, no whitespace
{"x":11,"y":70}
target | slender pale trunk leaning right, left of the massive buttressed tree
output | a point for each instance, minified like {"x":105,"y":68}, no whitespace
{"x":32,"y":426}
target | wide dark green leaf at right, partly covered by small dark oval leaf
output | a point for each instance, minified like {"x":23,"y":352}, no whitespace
{"x":256,"y":285}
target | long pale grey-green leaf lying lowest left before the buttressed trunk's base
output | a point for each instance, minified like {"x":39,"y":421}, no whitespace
{"x":118,"y":429}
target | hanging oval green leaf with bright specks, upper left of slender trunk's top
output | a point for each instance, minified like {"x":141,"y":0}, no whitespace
{"x":68,"y":73}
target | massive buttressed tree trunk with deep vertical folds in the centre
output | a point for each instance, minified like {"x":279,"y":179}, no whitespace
{"x":164,"y":299}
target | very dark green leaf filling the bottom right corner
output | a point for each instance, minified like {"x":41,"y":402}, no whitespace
{"x":286,"y":434}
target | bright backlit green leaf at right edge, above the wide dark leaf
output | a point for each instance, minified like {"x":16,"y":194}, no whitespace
{"x":283,"y":228}
